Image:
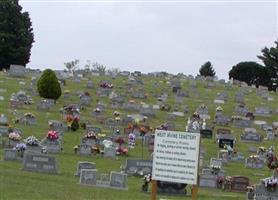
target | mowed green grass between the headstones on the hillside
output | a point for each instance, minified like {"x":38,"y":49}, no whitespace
{"x":18,"y":184}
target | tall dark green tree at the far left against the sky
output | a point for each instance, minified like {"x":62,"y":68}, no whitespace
{"x":16,"y":34}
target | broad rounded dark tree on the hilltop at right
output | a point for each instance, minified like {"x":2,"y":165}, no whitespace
{"x":251,"y":73}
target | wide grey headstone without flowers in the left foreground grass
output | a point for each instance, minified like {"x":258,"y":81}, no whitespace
{"x":40,"y":163}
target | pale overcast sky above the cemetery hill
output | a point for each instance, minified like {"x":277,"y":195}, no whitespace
{"x":157,"y":36}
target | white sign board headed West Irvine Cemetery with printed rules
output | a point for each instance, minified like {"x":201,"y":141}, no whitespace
{"x":176,"y":157}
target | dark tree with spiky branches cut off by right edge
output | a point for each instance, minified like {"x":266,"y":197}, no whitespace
{"x":270,"y":59}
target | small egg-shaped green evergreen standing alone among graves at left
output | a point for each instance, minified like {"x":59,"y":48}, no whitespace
{"x":48,"y":85}
